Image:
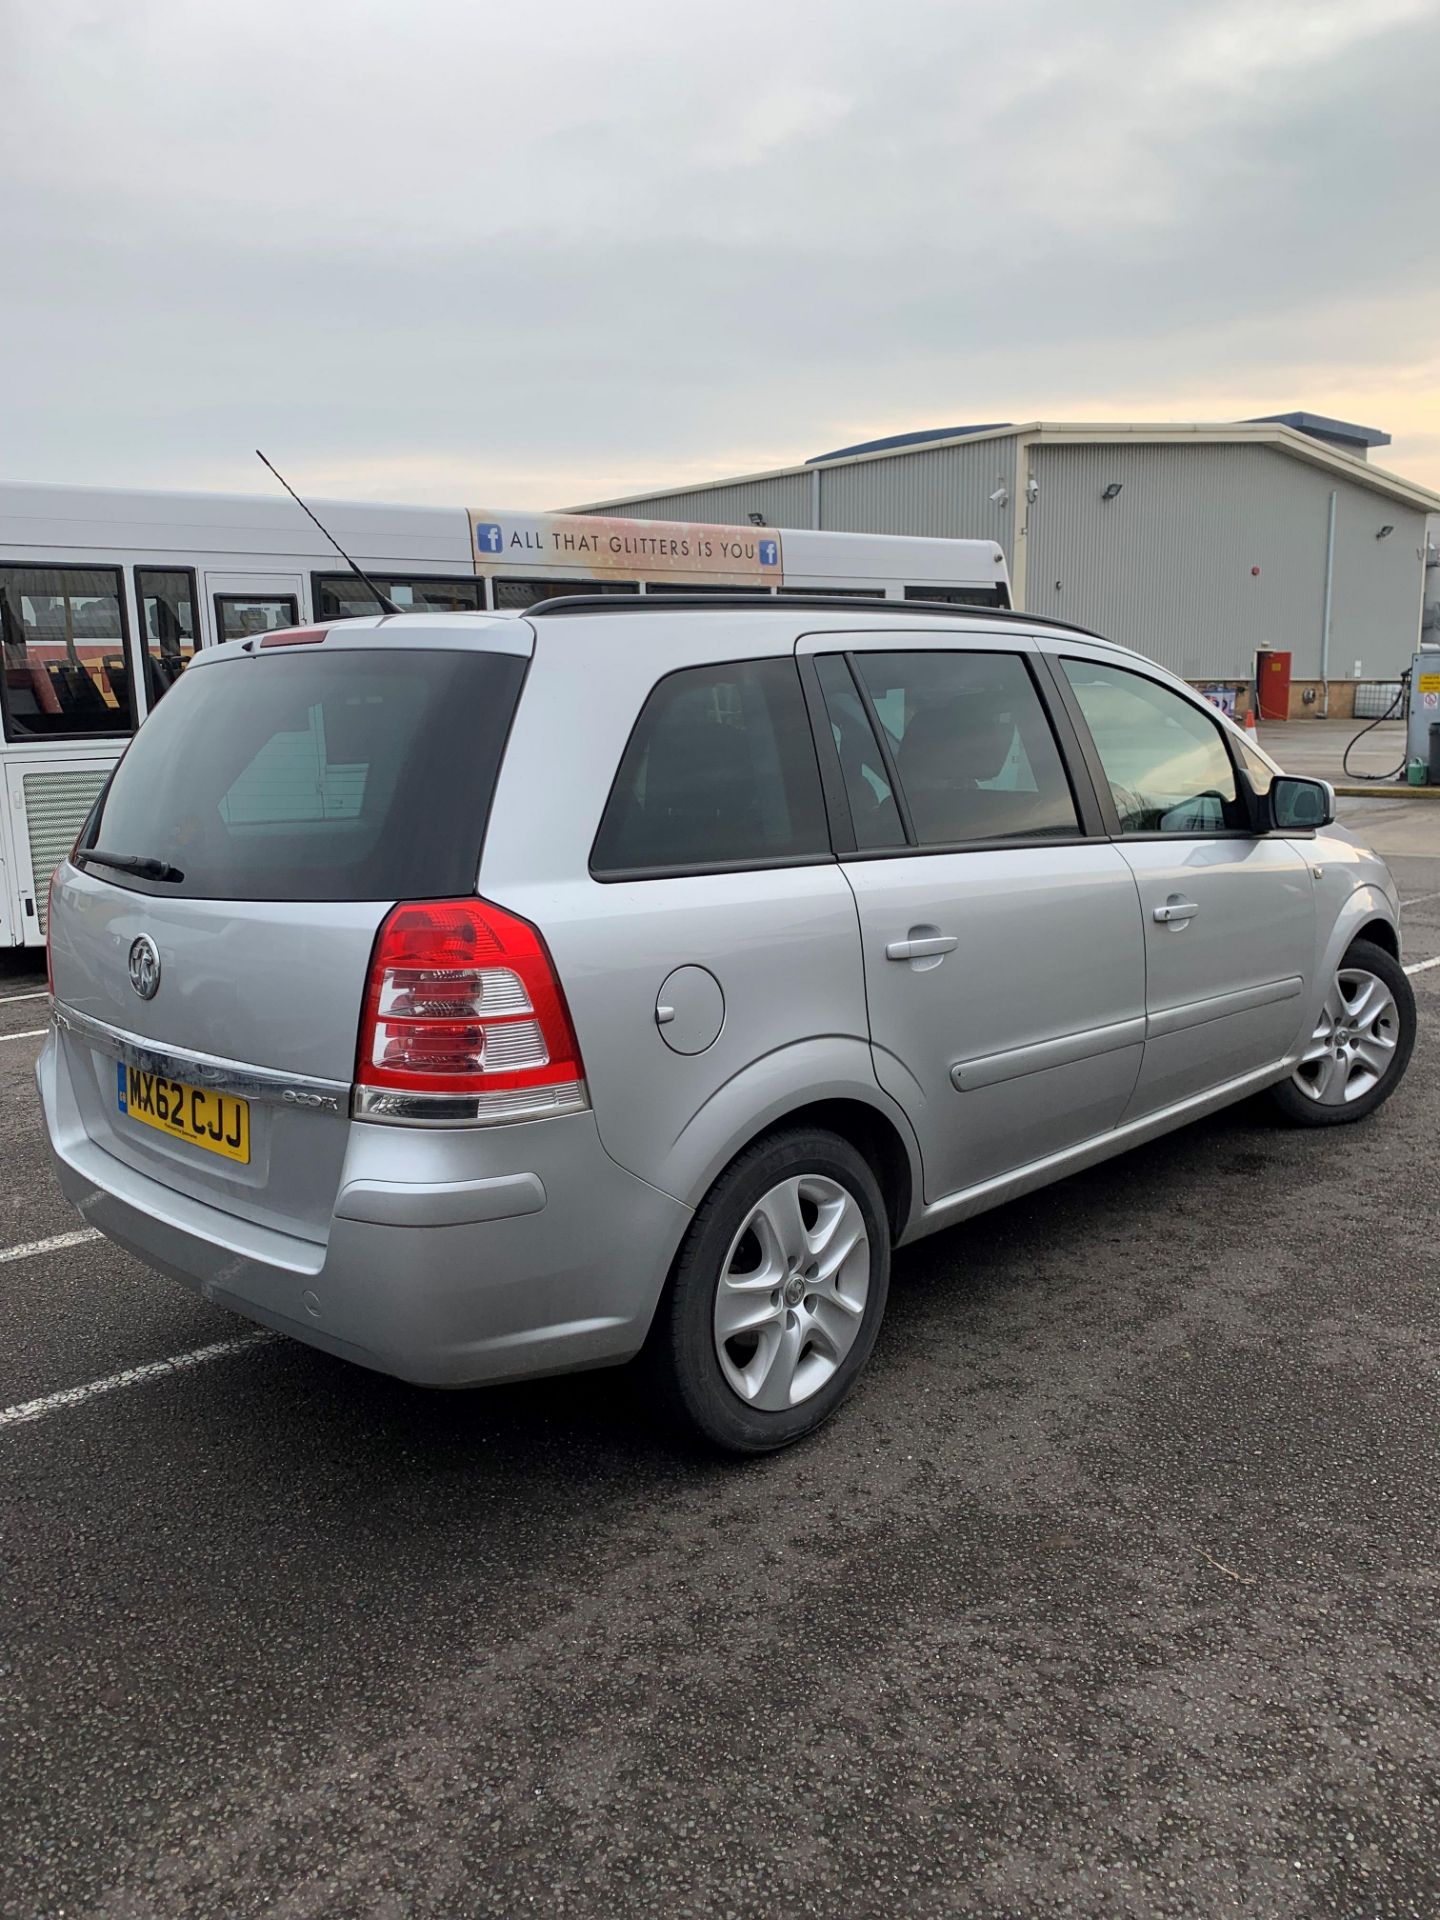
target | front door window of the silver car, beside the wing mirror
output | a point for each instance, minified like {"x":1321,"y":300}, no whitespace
{"x":1163,"y":757}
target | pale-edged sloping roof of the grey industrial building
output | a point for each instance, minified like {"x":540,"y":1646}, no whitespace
{"x":1278,"y":435}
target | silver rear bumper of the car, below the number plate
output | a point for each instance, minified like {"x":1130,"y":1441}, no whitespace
{"x":544,"y":1257}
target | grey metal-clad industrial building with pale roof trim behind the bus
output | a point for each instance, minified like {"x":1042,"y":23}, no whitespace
{"x":1211,"y":544}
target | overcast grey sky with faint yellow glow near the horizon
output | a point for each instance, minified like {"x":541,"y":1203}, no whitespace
{"x":535,"y":254}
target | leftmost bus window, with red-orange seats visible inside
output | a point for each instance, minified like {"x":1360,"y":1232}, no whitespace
{"x":62,"y":640}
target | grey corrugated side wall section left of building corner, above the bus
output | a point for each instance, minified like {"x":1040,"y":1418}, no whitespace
{"x":942,"y":491}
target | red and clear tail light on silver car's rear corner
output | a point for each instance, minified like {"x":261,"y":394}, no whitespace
{"x":466,"y":1020}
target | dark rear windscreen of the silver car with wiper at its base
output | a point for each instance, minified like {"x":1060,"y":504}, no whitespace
{"x":310,"y":777}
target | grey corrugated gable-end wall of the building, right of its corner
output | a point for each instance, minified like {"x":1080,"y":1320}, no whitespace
{"x":1166,"y":567}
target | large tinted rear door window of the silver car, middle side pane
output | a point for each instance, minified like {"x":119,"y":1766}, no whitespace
{"x":972,"y":746}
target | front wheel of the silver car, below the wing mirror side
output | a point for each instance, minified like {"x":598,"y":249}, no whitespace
{"x":1362,"y":1044}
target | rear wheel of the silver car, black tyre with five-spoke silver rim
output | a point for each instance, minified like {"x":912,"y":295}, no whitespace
{"x":779,"y":1293}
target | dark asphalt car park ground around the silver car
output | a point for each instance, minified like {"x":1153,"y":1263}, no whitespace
{"x":1113,"y":1591}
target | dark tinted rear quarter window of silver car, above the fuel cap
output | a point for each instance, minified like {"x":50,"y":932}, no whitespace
{"x":721,"y":771}
